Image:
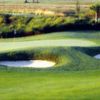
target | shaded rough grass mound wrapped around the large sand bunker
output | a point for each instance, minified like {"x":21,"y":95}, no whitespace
{"x":67,"y":59}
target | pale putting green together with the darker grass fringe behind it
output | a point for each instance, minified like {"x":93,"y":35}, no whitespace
{"x":60,"y":39}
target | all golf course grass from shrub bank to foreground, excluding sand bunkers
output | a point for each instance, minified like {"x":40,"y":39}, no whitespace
{"x":76,"y":75}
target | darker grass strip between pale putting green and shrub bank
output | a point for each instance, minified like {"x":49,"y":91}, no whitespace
{"x":89,"y":35}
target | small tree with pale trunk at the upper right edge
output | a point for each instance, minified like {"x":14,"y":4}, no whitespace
{"x":96,"y":8}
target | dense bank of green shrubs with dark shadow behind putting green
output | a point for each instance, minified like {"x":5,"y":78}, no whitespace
{"x":11,"y":26}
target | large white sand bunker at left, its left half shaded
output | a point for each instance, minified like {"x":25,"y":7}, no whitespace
{"x":28,"y":63}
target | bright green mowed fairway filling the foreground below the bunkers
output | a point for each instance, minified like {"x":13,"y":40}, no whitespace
{"x":50,"y":85}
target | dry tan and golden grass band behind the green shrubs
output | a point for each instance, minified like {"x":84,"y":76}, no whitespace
{"x":39,"y":8}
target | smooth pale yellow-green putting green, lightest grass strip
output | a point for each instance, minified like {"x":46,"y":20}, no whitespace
{"x":8,"y":46}
